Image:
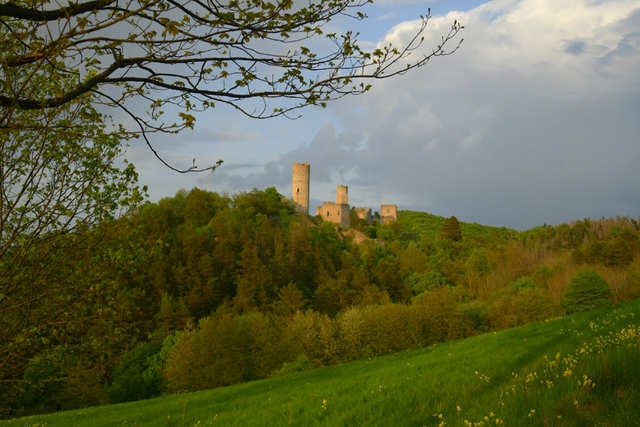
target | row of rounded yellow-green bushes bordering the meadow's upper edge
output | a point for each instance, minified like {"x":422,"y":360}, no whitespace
{"x":226,"y":350}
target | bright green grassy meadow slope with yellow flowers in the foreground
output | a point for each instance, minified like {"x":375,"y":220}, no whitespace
{"x":407,"y":389}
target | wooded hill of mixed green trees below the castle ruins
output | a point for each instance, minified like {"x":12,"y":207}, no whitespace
{"x":202,"y":290}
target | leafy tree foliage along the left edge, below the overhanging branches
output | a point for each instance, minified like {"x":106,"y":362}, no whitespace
{"x":61,"y":191}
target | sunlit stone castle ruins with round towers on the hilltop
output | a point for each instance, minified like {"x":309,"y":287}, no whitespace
{"x":337,"y":212}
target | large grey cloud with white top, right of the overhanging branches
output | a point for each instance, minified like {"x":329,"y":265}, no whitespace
{"x":533,"y":120}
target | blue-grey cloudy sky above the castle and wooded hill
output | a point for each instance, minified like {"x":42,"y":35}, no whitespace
{"x":534,"y":120}
